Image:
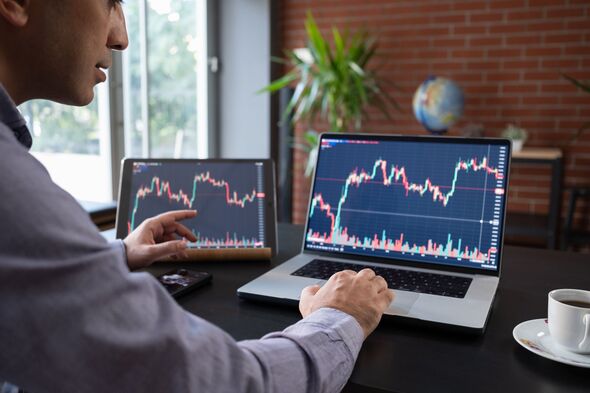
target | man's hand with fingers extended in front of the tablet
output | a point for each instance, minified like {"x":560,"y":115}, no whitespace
{"x":157,"y":237}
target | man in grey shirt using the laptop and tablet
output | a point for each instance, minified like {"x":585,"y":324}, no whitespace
{"x":72,"y":316}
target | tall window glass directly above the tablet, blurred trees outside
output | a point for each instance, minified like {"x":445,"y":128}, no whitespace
{"x":160,"y":72}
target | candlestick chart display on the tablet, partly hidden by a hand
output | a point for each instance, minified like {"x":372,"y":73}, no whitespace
{"x":229,"y":199}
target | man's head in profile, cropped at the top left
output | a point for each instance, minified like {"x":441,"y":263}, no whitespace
{"x":54,"y":49}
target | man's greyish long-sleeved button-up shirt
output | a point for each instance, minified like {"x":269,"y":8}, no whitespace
{"x":74,"y":319}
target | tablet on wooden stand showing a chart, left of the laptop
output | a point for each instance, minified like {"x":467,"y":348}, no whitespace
{"x":235,"y":203}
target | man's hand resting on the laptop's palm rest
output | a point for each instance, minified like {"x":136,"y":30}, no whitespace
{"x":363,"y":295}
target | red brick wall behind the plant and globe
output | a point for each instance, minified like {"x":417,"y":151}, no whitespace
{"x":506,"y":55}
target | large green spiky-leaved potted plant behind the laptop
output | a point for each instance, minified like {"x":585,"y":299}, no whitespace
{"x":332,"y":82}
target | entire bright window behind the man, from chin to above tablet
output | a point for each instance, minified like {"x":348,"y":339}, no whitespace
{"x":157,"y":97}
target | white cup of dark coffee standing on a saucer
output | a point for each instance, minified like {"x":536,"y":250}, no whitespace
{"x":569,"y":319}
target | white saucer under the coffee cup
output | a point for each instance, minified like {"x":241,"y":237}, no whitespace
{"x":534,"y":336}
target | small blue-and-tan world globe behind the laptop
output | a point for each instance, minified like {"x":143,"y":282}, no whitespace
{"x":438,"y":104}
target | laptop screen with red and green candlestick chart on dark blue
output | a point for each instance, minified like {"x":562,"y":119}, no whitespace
{"x":421,"y":199}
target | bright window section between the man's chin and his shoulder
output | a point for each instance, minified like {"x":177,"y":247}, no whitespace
{"x":73,"y":144}
